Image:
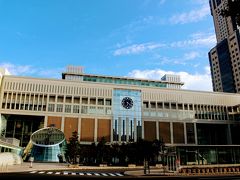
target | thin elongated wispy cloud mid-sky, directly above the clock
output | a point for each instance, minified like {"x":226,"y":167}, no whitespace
{"x":137,"y":48}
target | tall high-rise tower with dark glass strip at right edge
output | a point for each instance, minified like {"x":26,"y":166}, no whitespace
{"x":224,"y":58}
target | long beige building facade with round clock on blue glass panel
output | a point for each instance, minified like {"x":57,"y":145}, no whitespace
{"x":123,"y":110}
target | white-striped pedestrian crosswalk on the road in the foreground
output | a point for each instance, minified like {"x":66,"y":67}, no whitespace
{"x":74,"y":173}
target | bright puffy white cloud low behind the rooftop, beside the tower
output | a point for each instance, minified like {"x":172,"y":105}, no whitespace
{"x":194,"y":81}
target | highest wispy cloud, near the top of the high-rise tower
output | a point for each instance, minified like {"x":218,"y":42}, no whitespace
{"x":191,"y":16}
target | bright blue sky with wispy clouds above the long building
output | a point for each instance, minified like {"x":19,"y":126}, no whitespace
{"x":135,"y":38}
